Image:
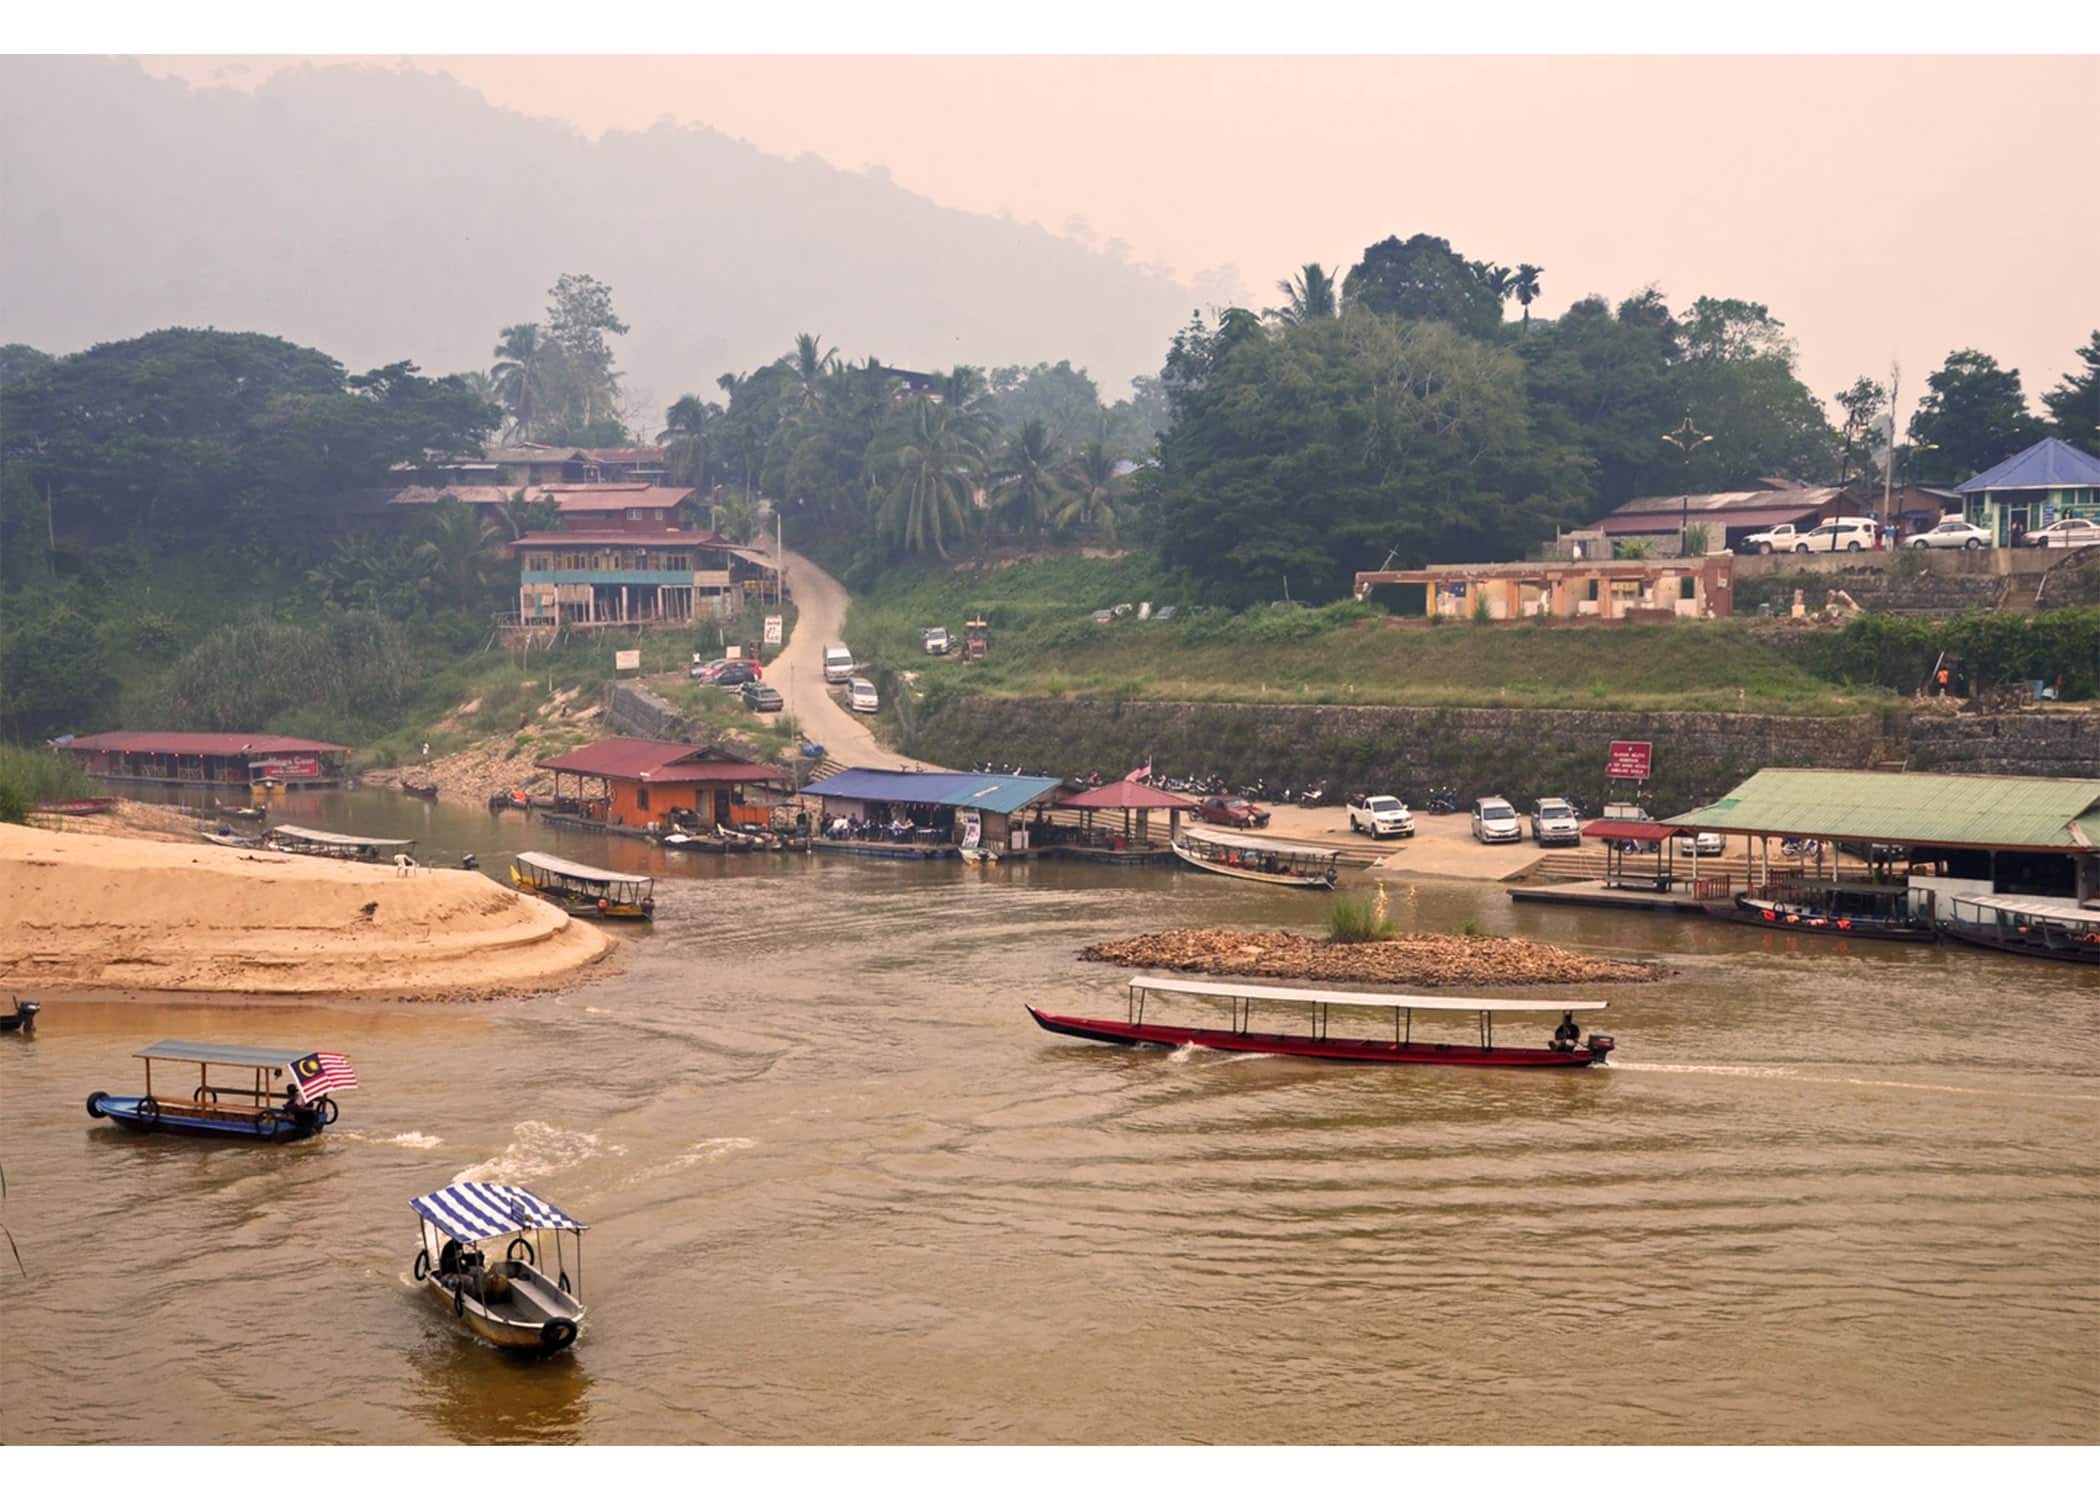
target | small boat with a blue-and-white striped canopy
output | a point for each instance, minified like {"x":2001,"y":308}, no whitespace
{"x":511,"y":1301}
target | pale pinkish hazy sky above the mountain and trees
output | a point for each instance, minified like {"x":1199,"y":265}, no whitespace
{"x":1878,"y":207}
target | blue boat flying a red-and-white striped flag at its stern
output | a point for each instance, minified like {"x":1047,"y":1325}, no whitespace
{"x":261,"y":1093}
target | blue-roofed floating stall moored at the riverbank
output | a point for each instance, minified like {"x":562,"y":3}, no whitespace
{"x":929,"y":814}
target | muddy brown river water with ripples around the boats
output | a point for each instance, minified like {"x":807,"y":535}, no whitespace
{"x":843,"y":1190}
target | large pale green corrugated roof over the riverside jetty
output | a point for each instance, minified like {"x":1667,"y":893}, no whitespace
{"x":1895,"y":808}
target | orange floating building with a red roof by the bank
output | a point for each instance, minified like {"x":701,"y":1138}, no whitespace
{"x":646,"y":785}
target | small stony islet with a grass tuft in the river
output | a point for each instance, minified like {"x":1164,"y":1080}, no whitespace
{"x":1410,"y":959}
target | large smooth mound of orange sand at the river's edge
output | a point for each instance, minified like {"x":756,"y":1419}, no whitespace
{"x":96,"y":913}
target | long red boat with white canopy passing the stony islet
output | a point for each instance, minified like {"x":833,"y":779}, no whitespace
{"x":1318,"y":1037}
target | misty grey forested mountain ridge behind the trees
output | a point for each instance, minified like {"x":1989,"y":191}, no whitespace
{"x":387,"y":213}
